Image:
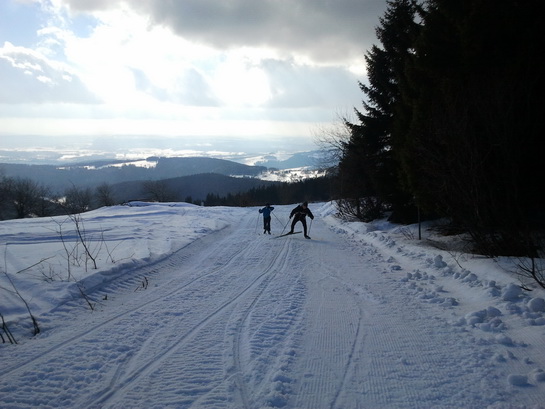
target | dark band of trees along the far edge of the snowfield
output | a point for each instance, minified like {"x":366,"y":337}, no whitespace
{"x":24,"y":197}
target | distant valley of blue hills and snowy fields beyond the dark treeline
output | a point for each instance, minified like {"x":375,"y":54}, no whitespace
{"x":186,"y":177}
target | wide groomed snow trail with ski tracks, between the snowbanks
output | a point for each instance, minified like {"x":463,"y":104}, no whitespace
{"x":241,"y":320}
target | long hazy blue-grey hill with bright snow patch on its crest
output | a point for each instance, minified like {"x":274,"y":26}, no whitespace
{"x":92,"y":174}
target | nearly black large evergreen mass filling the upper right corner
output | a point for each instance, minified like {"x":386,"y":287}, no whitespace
{"x":476,"y":124}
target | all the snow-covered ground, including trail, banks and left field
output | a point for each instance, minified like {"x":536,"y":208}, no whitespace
{"x":194,"y":307}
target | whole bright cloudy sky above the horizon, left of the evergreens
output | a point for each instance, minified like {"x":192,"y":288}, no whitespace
{"x":183,"y":73}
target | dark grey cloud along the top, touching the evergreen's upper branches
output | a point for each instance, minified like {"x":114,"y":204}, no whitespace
{"x":324,"y":31}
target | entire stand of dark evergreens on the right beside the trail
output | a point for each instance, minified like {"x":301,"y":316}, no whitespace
{"x":452,"y":122}
